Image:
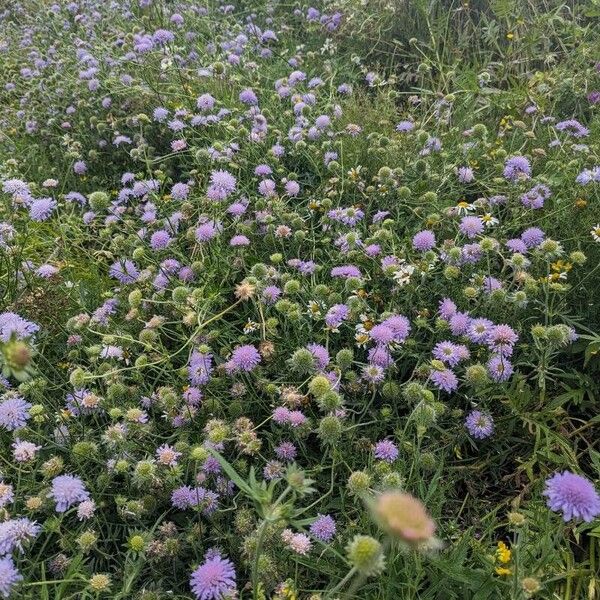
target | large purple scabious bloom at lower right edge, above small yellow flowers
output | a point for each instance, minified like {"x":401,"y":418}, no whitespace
{"x":573,"y":495}
